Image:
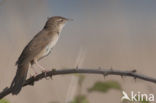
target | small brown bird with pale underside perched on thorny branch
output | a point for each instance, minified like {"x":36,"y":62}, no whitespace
{"x":39,"y":47}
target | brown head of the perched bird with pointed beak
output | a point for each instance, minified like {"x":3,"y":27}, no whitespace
{"x":56,"y":22}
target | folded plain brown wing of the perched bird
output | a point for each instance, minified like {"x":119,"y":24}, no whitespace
{"x":34,"y":47}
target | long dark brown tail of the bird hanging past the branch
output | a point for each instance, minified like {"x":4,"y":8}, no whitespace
{"x":19,"y":78}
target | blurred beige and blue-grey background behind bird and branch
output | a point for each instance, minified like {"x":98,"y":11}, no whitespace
{"x":108,"y":33}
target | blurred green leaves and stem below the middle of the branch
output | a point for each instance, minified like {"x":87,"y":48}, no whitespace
{"x":98,"y":86}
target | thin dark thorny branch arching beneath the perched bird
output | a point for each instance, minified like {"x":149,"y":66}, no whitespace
{"x":100,"y":71}
